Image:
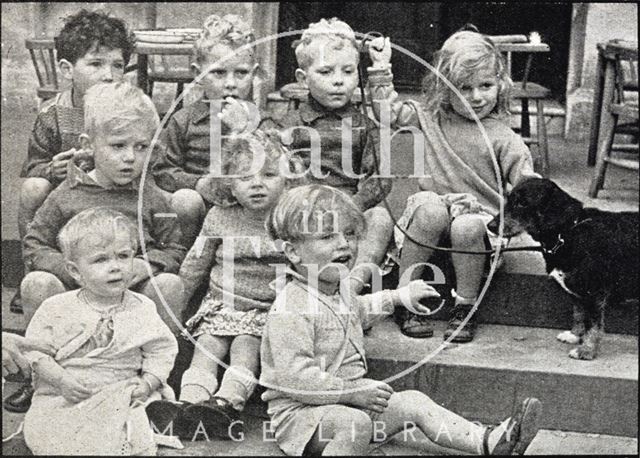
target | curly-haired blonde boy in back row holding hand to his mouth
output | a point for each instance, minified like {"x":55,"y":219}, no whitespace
{"x":231,"y":78}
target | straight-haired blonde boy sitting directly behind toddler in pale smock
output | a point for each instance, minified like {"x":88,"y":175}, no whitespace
{"x":120,"y":121}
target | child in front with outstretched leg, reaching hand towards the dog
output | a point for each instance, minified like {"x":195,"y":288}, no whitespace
{"x":313,"y":357}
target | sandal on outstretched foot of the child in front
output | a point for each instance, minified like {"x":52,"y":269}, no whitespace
{"x":521,"y":430}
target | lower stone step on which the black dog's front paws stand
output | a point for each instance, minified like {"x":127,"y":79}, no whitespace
{"x":486,"y":378}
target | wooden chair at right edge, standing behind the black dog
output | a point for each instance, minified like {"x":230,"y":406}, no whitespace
{"x":620,"y":78}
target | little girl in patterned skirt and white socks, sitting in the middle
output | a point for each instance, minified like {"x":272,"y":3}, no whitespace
{"x":235,"y":250}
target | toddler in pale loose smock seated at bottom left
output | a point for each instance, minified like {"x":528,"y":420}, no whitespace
{"x":112,"y":351}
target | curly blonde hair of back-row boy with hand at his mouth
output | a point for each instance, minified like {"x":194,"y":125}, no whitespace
{"x":230,"y":30}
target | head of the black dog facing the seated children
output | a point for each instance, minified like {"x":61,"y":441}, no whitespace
{"x":537,"y":206}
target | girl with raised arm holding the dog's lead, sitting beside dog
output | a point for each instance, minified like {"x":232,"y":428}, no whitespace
{"x":462,"y":192}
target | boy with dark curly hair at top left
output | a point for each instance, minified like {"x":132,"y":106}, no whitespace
{"x":91,"y":48}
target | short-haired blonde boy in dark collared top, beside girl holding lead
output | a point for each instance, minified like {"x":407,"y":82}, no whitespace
{"x":328,"y":57}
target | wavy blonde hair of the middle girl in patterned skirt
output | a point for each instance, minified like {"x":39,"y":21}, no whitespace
{"x":243,"y":149}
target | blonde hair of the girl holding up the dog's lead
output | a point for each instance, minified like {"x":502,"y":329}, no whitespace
{"x":463,"y":54}
